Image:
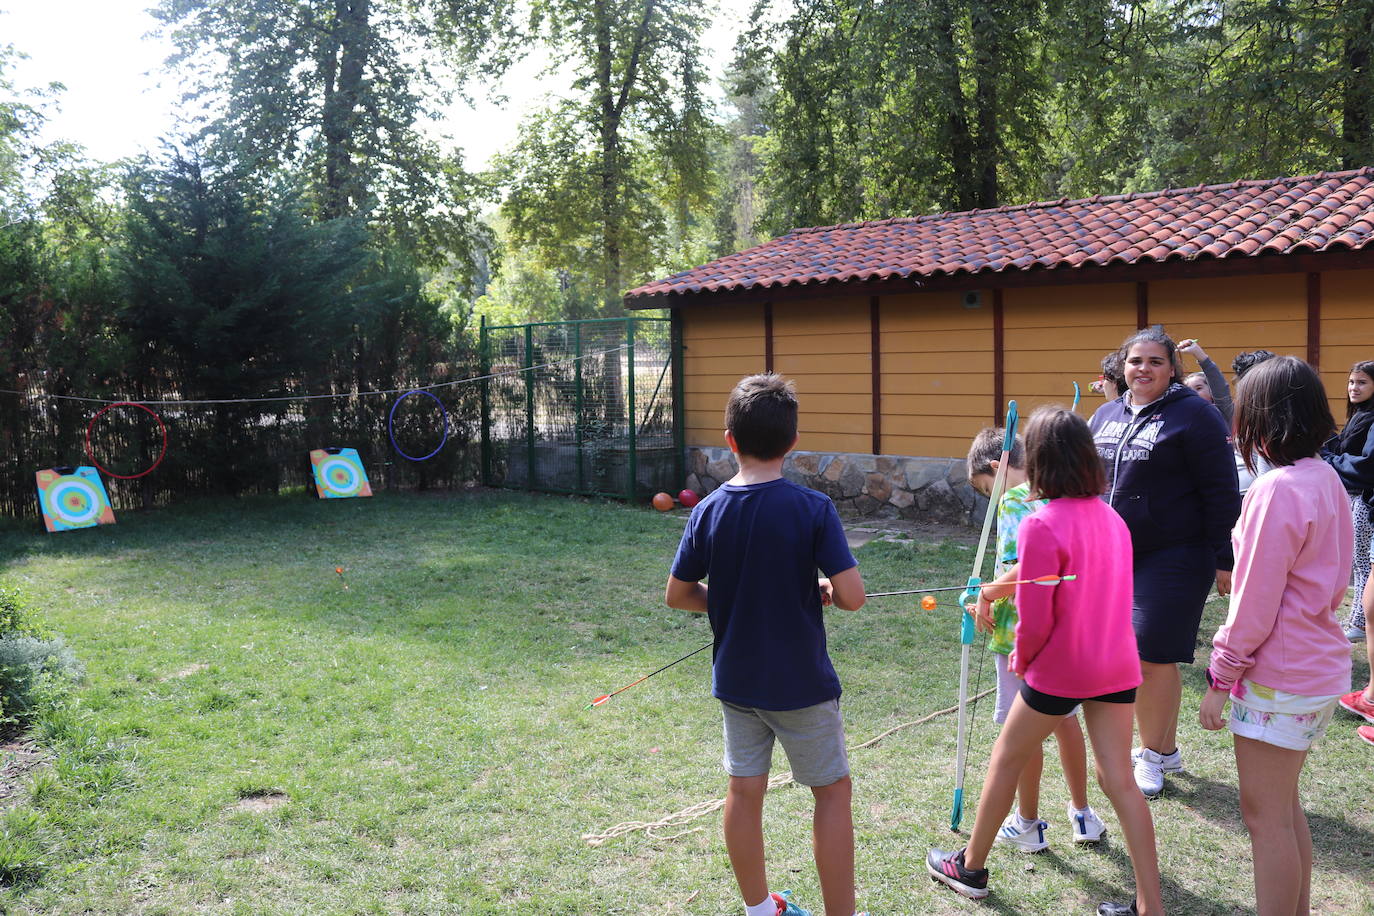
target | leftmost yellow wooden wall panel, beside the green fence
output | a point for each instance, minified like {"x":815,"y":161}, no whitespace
{"x":722,"y":345}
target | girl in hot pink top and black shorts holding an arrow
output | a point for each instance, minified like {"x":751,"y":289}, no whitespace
{"x":1074,"y":645}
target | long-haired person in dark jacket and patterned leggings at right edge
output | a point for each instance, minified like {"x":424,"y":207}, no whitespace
{"x":1353,"y":457}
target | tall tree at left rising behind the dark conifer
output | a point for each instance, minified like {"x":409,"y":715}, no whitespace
{"x":339,"y":90}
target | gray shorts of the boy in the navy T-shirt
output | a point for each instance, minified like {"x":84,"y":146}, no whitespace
{"x":813,"y":737}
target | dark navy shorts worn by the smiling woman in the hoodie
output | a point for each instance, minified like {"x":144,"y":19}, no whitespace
{"x":1171,"y":587}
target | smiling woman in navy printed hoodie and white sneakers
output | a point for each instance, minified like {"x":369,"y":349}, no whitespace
{"x":1173,"y":480}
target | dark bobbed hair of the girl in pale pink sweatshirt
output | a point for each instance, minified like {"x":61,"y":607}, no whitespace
{"x":1281,"y":413}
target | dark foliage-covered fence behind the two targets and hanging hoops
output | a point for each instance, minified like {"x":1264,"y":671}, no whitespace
{"x":240,"y":448}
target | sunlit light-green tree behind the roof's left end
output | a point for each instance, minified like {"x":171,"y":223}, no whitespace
{"x":609,"y":167}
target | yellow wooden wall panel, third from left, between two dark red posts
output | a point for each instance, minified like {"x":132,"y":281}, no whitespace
{"x":936,"y":373}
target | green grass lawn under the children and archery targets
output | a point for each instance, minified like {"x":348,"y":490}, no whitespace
{"x":255,"y":738}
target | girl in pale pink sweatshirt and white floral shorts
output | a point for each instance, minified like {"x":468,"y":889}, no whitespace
{"x":1281,"y":656}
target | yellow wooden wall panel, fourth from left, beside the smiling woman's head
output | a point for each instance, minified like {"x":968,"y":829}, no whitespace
{"x":1055,"y":337}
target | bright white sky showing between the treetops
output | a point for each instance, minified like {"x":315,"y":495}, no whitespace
{"x":119,"y":101}
